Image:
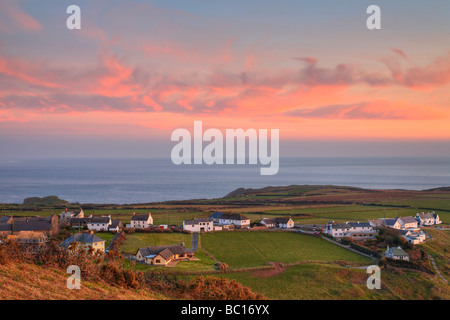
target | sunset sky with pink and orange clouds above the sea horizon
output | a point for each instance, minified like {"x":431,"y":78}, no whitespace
{"x":137,"y":70}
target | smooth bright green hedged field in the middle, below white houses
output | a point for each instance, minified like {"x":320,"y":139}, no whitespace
{"x":251,"y":249}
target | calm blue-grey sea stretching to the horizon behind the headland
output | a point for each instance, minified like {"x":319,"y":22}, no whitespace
{"x":147,"y":180}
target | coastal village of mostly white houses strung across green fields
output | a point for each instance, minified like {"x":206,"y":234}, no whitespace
{"x":86,"y":233}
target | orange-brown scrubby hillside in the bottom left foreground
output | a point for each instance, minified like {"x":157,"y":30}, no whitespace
{"x":43,"y":276}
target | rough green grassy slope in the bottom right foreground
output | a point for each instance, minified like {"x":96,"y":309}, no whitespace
{"x":323,"y":282}
